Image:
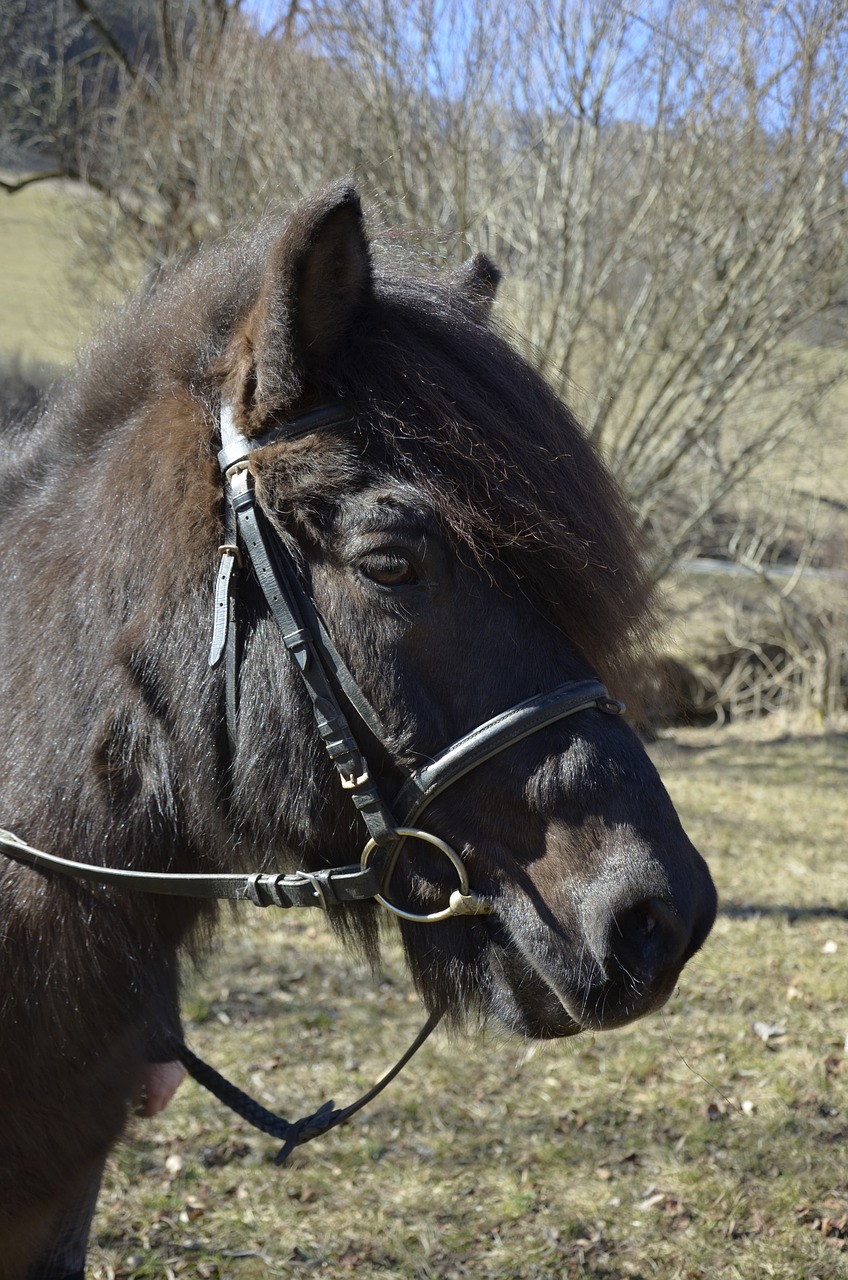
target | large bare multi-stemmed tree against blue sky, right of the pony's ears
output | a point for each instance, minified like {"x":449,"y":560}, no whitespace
{"x":667,"y":184}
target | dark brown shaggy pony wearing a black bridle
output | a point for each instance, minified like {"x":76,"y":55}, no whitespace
{"x":466,"y":550}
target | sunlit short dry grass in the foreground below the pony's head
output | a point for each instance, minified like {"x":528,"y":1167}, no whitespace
{"x":706,"y":1142}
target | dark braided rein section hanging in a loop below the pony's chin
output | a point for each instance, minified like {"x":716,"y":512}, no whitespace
{"x":294,"y":1133}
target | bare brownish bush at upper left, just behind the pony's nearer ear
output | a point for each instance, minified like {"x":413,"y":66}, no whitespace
{"x":209,"y":134}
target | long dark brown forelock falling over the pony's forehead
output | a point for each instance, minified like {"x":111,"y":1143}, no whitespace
{"x":509,"y":472}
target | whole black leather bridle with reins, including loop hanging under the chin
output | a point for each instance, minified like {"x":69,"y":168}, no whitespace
{"x":249,"y":538}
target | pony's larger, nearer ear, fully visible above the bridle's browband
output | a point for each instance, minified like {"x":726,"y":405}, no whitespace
{"x":317,"y":280}
